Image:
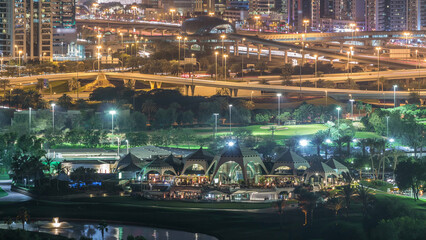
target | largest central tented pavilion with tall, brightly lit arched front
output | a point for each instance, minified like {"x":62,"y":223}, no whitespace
{"x":235,"y":160}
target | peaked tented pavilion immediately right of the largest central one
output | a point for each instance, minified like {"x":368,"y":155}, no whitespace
{"x":289,"y":162}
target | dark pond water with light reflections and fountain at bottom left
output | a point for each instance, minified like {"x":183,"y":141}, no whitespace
{"x":115,"y":231}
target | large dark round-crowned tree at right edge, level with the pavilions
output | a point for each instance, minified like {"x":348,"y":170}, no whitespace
{"x":411,"y":174}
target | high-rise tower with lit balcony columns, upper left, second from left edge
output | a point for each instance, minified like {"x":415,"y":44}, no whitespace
{"x":32,"y":29}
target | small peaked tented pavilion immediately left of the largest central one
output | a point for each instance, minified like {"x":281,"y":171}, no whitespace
{"x":197,"y":162}
